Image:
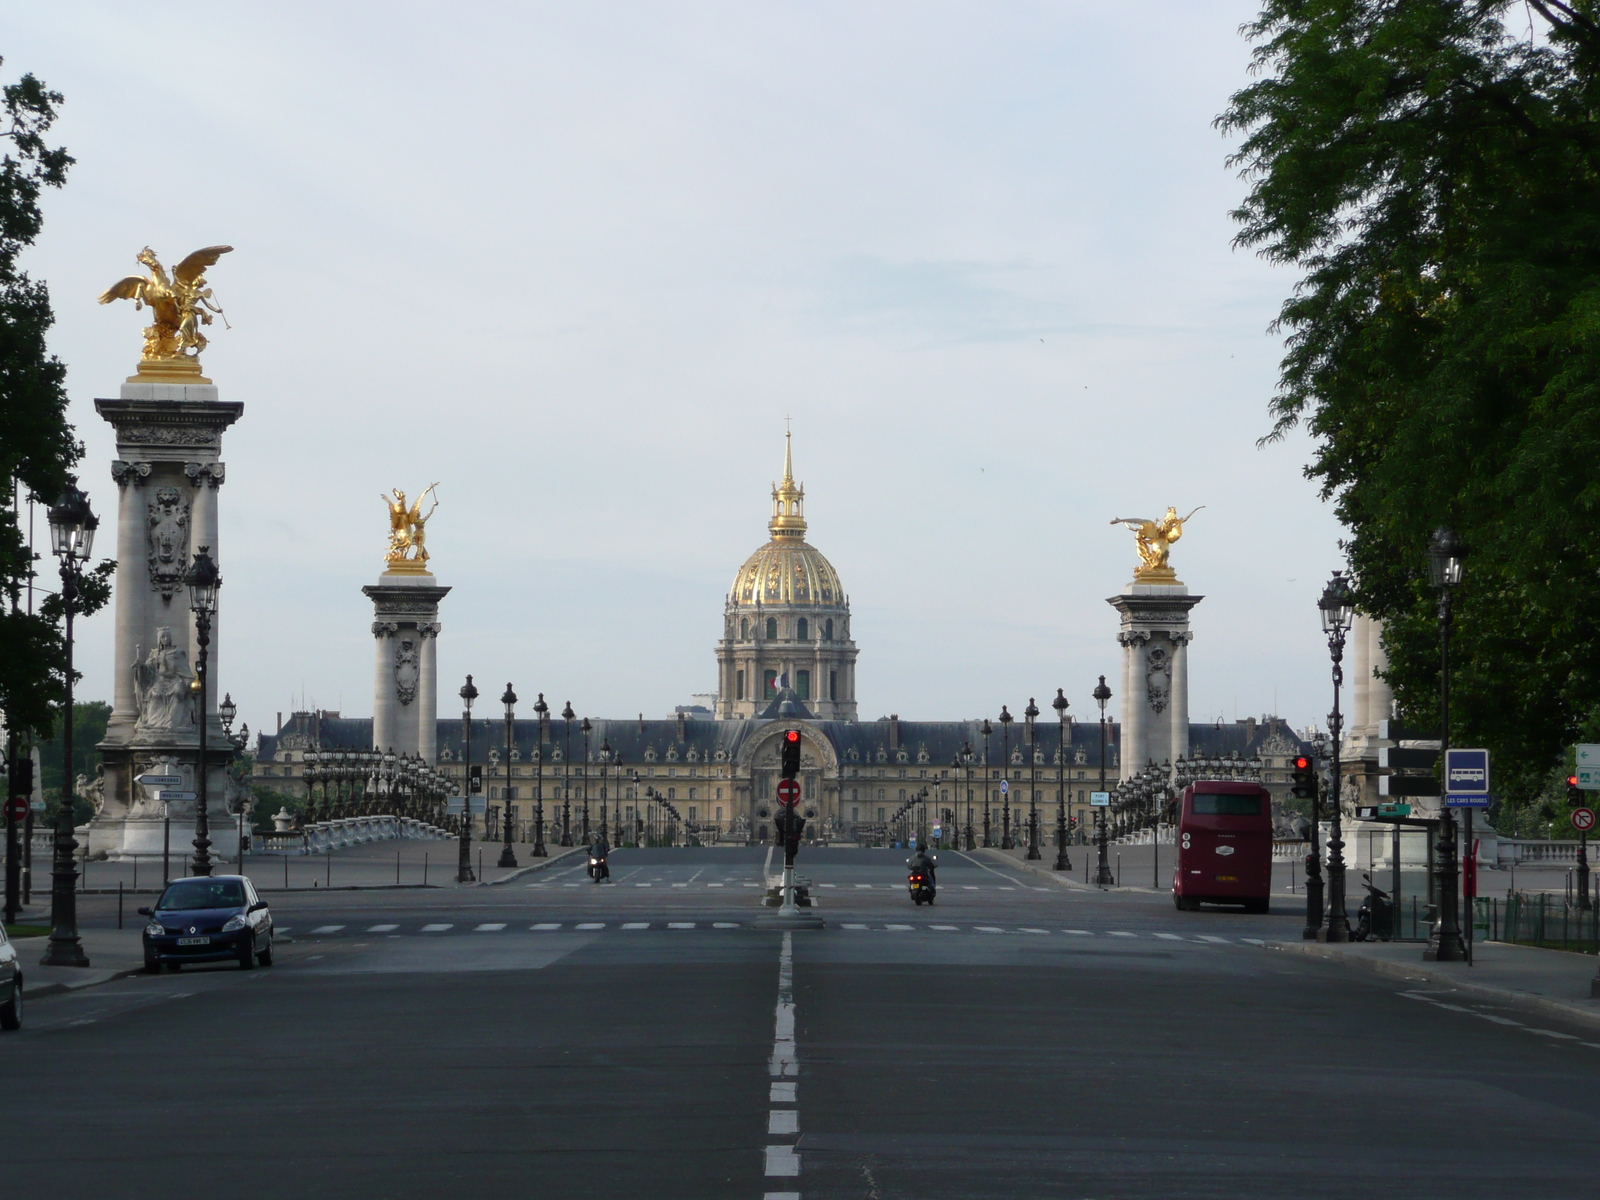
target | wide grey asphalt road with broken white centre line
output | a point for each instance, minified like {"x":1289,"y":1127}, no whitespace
{"x":559,"y":1039}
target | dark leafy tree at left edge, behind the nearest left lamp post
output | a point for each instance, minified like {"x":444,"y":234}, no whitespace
{"x":38,"y":446}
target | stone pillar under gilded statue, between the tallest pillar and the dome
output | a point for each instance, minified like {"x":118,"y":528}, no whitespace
{"x":406,"y":687}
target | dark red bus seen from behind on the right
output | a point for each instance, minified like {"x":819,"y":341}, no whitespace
{"x":1225,"y":847}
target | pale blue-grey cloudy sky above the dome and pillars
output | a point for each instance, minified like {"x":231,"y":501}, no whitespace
{"x":580,"y":263}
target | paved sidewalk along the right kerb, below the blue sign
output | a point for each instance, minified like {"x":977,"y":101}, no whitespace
{"x":1554,"y":983}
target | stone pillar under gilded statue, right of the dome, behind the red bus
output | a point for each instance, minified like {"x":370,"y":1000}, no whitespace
{"x":1154,"y":641}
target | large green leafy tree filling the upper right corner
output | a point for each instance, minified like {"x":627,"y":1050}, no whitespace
{"x":1434,"y":172}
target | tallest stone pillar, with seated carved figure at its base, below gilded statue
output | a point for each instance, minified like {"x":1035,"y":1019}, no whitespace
{"x":169,"y":474}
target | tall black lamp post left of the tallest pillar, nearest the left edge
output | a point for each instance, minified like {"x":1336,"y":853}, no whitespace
{"x":73,"y":527}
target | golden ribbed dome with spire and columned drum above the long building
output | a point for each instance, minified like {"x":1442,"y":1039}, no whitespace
{"x":786,"y":623}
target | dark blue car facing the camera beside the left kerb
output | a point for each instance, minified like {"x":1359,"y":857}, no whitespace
{"x":206,"y":921}
